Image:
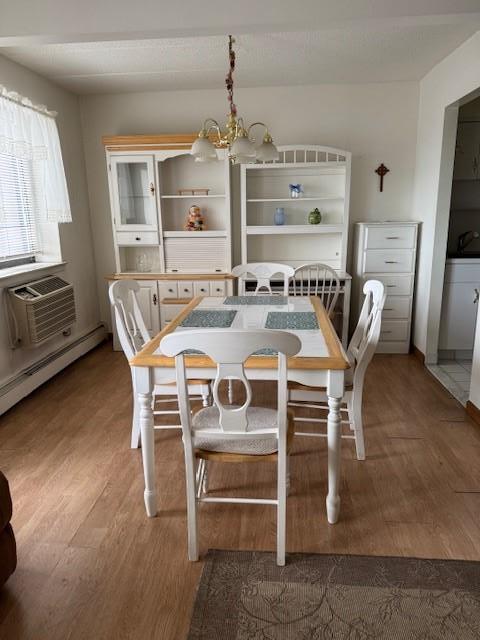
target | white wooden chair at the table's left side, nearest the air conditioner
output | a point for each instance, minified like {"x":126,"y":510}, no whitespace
{"x":133,"y":334}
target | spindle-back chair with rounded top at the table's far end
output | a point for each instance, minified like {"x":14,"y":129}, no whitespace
{"x":317,"y":279}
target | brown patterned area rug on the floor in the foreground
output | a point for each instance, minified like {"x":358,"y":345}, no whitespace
{"x":245,"y":596}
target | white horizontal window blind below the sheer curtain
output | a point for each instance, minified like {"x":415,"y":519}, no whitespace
{"x":18,"y":233}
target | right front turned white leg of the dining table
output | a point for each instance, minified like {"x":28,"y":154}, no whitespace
{"x":335,"y":388}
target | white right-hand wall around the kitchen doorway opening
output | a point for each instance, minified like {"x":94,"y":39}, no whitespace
{"x":440,"y":90}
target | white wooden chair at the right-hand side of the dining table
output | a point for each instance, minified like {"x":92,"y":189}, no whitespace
{"x":360,"y":352}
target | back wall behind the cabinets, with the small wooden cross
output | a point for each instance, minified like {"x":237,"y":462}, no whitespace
{"x":376,"y":122}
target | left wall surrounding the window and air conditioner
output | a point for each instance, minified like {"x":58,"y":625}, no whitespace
{"x":75,"y":238}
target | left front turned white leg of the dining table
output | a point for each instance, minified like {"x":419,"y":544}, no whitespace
{"x":144,"y":394}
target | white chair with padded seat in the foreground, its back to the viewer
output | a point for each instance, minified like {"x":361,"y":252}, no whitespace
{"x":233,"y":434}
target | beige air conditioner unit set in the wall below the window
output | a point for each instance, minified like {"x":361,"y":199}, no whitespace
{"x":41,"y":310}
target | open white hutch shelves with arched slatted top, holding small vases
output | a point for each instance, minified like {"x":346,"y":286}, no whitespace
{"x":324,"y":173}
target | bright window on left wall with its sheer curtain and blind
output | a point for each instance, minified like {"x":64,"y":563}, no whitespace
{"x":33,"y":188}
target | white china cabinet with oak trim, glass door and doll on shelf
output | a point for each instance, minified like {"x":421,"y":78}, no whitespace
{"x":153,"y":182}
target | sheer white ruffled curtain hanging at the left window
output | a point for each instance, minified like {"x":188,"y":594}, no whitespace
{"x":29,"y":132}
